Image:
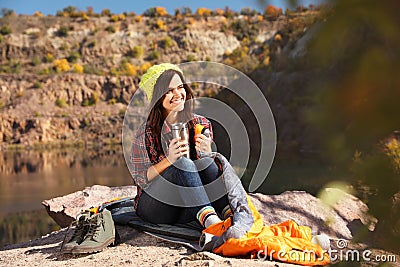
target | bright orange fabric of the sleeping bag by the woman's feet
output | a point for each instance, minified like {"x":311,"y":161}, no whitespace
{"x":287,"y":242}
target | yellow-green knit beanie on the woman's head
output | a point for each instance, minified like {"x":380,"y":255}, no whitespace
{"x":150,"y":78}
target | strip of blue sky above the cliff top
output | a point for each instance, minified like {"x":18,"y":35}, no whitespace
{"x":47,"y":7}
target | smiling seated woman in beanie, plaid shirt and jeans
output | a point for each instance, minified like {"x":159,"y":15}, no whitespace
{"x":157,"y":160}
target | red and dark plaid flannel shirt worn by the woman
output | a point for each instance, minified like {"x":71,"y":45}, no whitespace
{"x":144,"y":152}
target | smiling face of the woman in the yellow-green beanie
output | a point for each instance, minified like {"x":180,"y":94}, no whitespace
{"x":175,"y":98}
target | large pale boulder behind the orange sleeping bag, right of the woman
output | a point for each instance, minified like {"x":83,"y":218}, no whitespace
{"x":340,"y":219}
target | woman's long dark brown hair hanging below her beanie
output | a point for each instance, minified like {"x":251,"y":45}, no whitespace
{"x":157,"y":114}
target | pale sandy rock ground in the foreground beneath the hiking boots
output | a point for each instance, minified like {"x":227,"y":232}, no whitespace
{"x":136,"y":249}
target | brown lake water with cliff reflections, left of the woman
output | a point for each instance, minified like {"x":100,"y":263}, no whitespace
{"x":29,"y":177}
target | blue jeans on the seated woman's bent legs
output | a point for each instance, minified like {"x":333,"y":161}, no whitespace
{"x":190,"y":186}
